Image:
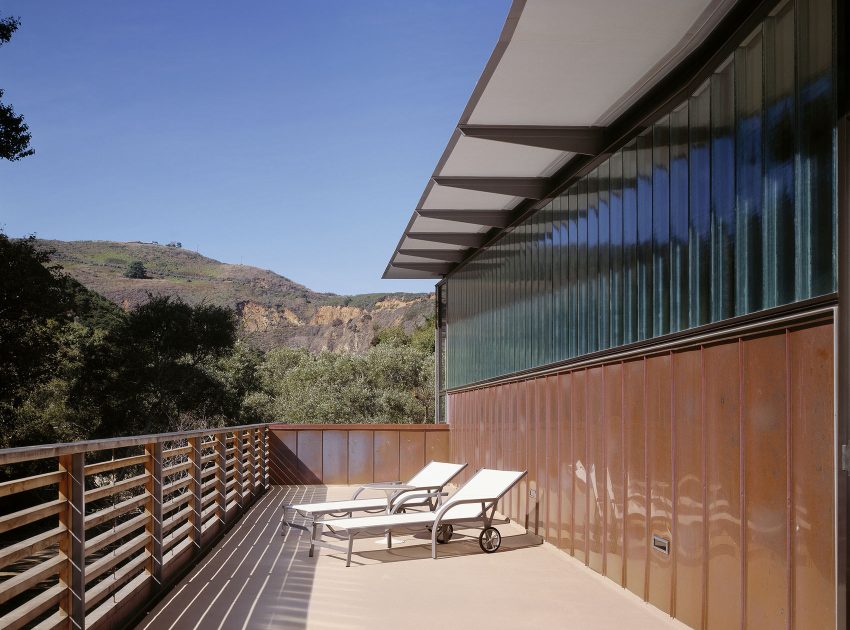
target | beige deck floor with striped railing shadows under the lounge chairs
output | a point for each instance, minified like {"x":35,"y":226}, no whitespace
{"x":260,"y":576}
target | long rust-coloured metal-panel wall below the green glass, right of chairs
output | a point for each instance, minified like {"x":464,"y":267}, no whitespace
{"x":726,"y":449}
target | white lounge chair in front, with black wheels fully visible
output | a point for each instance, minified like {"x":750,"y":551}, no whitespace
{"x":475,"y":502}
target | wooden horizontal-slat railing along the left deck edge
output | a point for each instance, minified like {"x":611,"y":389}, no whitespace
{"x":117,"y":519}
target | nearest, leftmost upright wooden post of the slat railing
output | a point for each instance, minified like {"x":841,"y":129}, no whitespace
{"x":72,"y":489}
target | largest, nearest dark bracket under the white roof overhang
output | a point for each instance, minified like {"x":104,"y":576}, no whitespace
{"x":584,"y":140}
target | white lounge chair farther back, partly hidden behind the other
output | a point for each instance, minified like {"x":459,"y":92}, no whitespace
{"x":424,"y":489}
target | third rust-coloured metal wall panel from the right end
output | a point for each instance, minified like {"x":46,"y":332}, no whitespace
{"x":723,"y":486}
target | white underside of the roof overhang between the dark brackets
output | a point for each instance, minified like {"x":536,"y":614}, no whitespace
{"x":561,"y":63}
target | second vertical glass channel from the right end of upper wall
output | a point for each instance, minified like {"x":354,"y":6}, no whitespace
{"x":779,"y":152}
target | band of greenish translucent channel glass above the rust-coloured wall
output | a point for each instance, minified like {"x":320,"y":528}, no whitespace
{"x":725,"y":206}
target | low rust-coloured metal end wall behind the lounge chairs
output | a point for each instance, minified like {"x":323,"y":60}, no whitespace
{"x":353,"y":453}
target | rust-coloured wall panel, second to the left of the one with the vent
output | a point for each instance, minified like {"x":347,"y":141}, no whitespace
{"x":613,"y":475}
